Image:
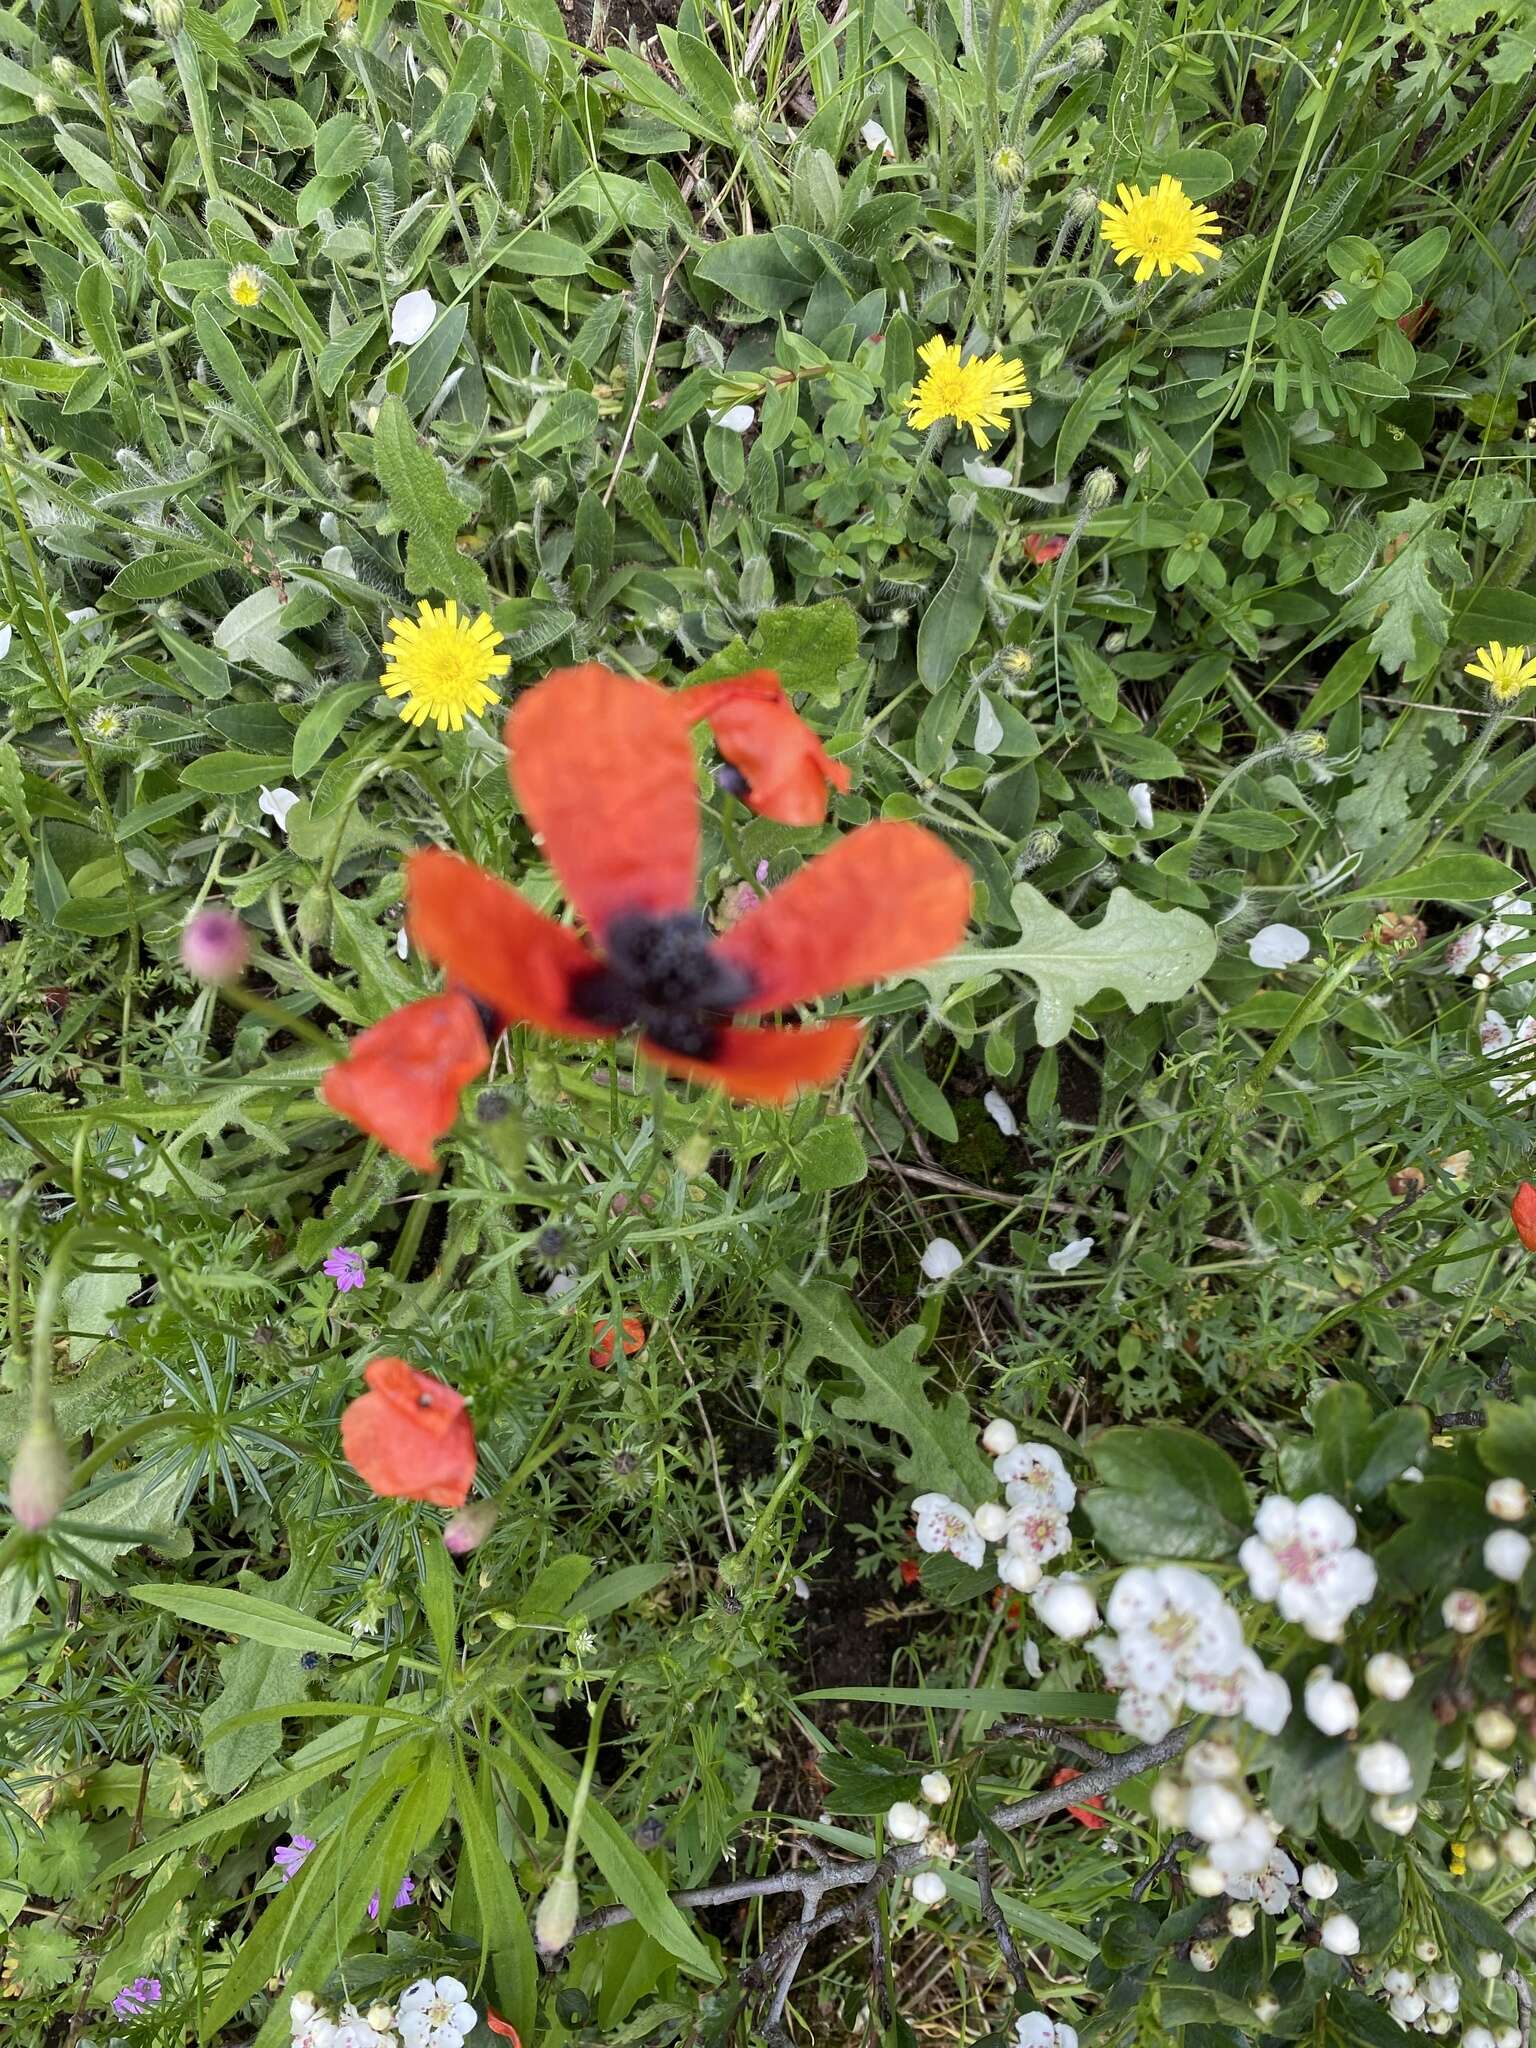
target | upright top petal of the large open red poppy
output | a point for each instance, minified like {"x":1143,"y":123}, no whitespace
{"x":605,"y":773}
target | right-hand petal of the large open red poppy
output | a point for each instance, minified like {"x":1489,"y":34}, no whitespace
{"x":888,"y":898}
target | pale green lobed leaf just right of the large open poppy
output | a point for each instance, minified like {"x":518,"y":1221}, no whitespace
{"x":1148,"y":955}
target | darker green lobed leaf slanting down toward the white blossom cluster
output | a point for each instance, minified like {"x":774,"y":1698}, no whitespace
{"x":943,"y":1453}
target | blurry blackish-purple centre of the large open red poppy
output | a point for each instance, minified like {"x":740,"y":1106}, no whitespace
{"x":663,"y":978}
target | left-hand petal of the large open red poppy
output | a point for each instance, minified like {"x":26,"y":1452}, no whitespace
{"x":497,"y":943}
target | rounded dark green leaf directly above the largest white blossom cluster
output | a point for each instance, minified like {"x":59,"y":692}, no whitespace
{"x":1166,"y":1492}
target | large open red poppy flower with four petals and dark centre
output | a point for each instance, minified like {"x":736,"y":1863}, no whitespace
{"x":605,"y":773}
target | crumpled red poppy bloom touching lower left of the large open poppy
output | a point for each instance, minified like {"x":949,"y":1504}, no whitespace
{"x":402,"y":1076}
